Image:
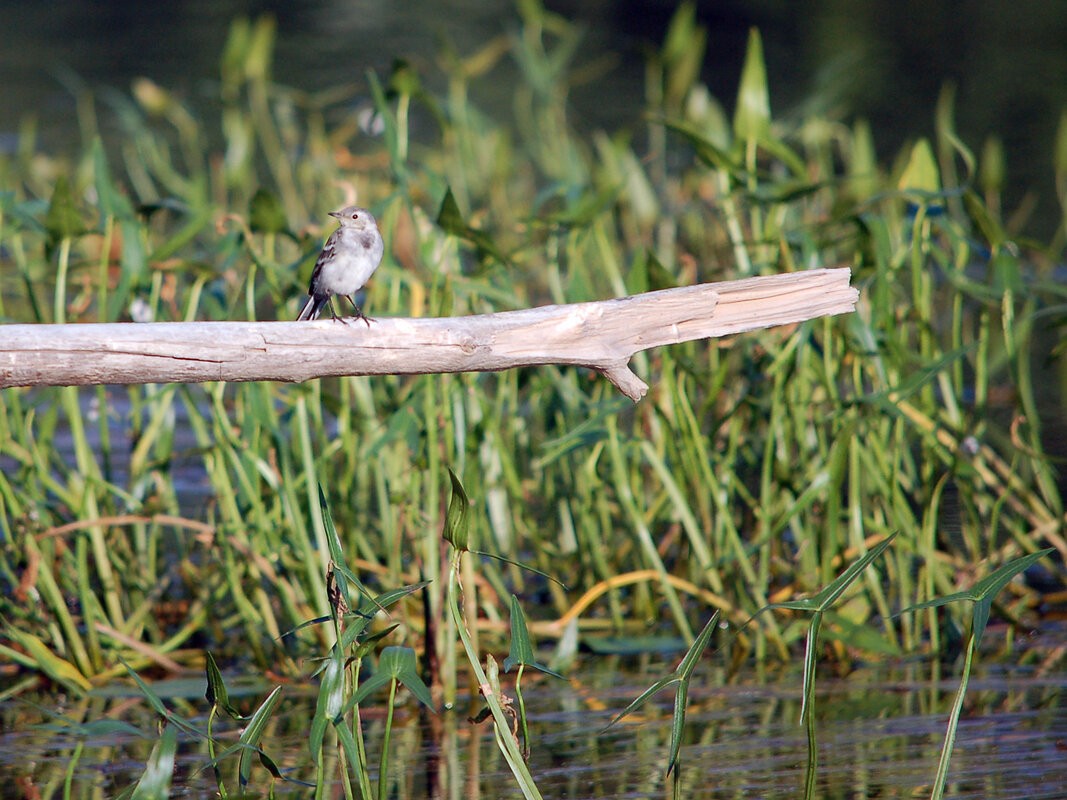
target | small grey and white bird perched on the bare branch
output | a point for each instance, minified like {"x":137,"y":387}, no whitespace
{"x":347,"y":262}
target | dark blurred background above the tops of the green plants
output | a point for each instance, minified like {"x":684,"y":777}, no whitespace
{"x":885,"y":60}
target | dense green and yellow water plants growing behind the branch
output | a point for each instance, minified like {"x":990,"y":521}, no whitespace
{"x":147,"y":526}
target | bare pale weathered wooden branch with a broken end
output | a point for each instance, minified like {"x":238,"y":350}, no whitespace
{"x":601,"y":335}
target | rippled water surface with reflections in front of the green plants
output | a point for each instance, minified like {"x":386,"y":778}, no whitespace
{"x":880,"y":735}
